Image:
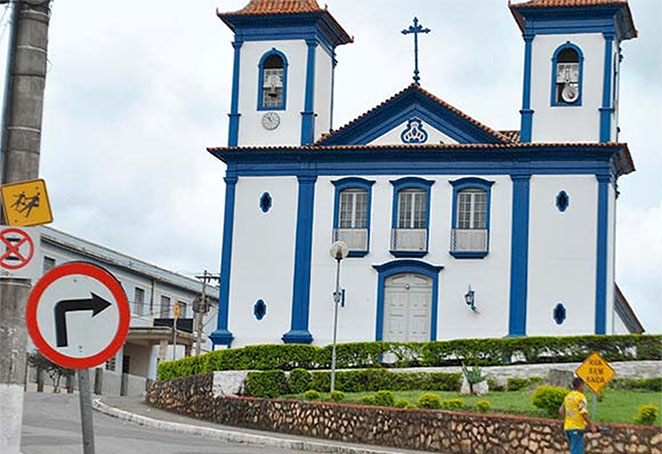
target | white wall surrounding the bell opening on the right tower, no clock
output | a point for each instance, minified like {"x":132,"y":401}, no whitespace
{"x":567,"y":123}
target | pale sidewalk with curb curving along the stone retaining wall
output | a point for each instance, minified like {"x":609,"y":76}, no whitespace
{"x":133,"y":409}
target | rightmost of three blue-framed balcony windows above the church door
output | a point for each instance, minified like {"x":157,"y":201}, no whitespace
{"x":470,"y":231}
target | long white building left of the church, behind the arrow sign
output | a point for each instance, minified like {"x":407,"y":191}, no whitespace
{"x":152,"y":293}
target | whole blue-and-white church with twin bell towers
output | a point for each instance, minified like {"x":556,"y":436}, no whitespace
{"x":455,"y":230}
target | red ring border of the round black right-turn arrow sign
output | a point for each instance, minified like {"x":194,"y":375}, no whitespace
{"x":110,"y":282}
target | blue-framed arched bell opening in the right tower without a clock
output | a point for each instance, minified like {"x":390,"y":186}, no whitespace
{"x":567,"y":69}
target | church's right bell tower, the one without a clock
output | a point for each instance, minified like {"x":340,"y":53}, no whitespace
{"x":572,"y":59}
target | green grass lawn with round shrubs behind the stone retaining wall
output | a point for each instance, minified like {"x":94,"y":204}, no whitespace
{"x":616,"y":407}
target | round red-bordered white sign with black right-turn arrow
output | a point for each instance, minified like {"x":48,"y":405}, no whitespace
{"x":78,"y":315}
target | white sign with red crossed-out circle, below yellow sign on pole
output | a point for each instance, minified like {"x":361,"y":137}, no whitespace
{"x":18,"y":252}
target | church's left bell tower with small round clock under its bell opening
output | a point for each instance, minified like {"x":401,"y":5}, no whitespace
{"x":283,"y":73}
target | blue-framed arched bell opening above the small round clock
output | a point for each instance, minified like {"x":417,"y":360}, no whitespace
{"x":272,"y":90}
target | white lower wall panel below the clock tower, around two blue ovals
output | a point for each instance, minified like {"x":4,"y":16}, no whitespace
{"x":262,"y":259}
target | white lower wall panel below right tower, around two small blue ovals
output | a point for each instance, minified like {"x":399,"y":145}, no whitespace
{"x":562,"y":255}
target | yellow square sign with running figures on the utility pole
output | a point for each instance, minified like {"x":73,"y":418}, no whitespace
{"x":26,"y":203}
